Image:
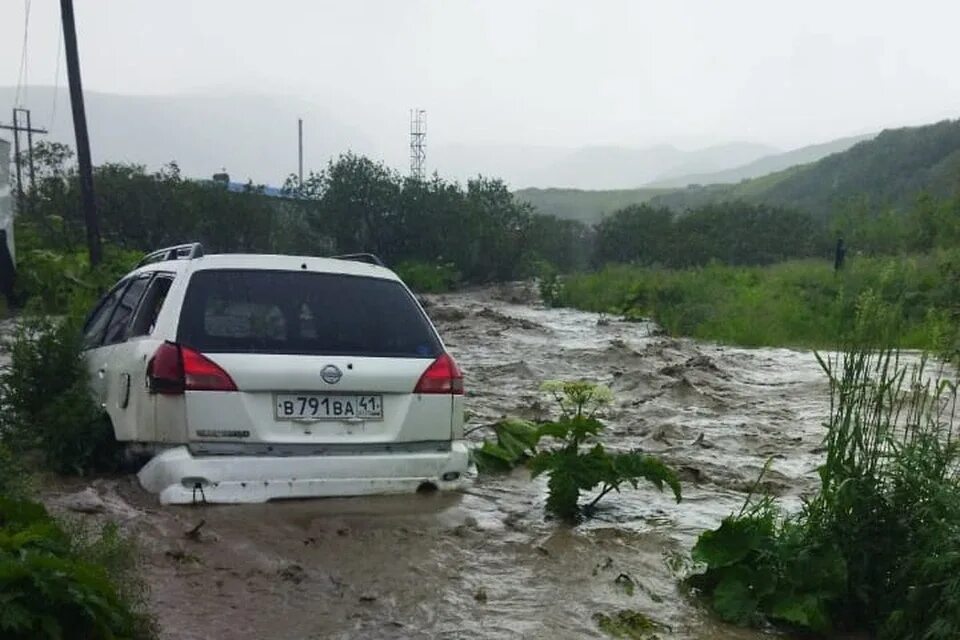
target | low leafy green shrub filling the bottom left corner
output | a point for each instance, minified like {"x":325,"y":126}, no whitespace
{"x":49,"y":590}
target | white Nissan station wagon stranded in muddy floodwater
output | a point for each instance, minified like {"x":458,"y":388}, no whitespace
{"x":249,"y":378}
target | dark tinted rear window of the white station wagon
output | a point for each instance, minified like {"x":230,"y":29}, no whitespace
{"x":292,"y":312}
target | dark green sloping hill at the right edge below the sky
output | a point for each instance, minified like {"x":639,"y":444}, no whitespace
{"x":889,"y":170}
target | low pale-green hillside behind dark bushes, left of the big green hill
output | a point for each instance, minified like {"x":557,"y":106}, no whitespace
{"x":585,"y":206}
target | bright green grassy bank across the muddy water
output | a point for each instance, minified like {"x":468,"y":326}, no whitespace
{"x":796,"y":303}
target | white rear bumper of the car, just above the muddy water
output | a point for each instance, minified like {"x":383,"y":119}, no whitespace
{"x":179,"y":477}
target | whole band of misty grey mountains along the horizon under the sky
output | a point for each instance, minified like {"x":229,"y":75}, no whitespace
{"x":253,"y":136}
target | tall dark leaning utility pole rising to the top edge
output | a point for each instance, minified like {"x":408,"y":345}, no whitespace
{"x":84,"y":163}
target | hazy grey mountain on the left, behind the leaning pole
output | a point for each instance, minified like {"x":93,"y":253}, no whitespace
{"x":252,"y":136}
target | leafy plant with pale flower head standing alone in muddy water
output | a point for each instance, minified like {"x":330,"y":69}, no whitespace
{"x":572,"y":470}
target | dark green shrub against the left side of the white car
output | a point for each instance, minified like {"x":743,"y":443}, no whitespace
{"x":45,"y":402}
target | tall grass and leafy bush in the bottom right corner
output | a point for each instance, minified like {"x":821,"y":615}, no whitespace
{"x":877,"y":549}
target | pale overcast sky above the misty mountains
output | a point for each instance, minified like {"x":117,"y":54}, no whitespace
{"x":550,"y":72}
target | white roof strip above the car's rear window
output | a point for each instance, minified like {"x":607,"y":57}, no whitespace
{"x":272,"y":262}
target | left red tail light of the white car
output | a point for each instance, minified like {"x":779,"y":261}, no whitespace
{"x":175,"y":369}
